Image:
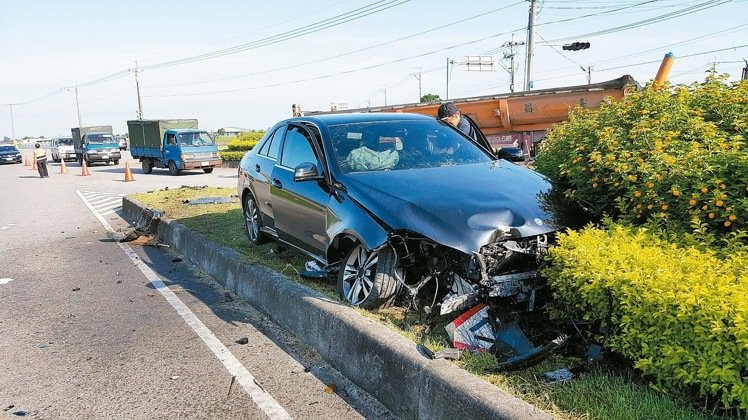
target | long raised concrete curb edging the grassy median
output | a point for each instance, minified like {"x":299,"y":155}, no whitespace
{"x":380,"y":361}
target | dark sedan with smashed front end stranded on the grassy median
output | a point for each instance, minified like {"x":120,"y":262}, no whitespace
{"x":398,"y":203}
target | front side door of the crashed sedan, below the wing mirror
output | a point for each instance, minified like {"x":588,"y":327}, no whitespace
{"x":300,"y":208}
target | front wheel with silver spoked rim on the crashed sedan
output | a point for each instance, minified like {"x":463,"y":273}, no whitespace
{"x":367,"y":279}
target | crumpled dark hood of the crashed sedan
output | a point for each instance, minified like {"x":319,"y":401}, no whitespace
{"x":464,"y":207}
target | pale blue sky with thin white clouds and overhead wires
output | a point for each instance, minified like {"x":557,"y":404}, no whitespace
{"x":232,"y":63}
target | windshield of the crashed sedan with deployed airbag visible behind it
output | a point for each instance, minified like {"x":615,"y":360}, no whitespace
{"x":401,"y":145}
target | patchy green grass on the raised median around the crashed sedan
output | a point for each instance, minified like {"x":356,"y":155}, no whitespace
{"x":604,"y":392}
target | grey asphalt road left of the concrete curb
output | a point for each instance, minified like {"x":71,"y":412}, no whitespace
{"x":90,"y":328}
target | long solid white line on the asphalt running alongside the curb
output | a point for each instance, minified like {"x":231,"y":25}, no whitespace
{"x":263,"y":400}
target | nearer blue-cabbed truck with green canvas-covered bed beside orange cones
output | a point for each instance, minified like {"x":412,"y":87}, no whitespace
{"x":172,"y":144}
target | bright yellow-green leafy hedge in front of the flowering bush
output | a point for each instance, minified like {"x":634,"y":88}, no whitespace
{"x":680,"y":313}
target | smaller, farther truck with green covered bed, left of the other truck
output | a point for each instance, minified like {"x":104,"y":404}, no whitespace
{"x":95,"y":144}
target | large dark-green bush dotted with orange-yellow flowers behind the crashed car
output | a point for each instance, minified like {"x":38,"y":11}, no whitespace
{"x":675,"y":155}
